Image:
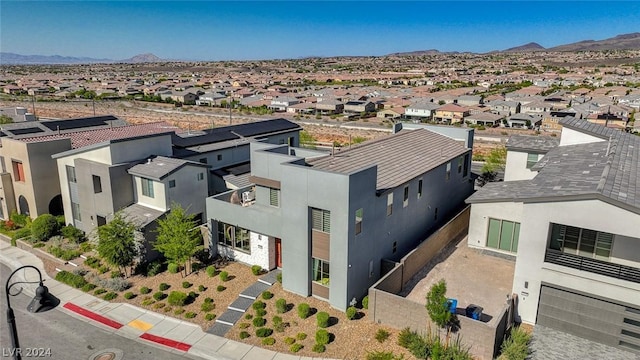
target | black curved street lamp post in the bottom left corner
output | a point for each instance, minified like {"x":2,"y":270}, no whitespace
{"x":42,"y":301}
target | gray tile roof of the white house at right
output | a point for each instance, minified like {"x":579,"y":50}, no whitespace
{"x":607,"y":170}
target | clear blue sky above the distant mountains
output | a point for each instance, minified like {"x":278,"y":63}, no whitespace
{"x":243,"y":30}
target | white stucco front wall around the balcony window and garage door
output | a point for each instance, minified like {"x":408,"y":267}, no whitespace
{"x":534,"y":233}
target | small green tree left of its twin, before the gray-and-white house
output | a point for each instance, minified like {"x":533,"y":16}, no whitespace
{"x":117,"y":244}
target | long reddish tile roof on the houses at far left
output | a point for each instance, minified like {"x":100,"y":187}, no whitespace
{"x":89,"y":137}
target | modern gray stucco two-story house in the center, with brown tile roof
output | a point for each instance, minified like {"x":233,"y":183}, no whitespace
{"x":330,"y":221}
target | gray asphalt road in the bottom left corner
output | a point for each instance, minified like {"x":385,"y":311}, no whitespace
{"x":67,"y":337}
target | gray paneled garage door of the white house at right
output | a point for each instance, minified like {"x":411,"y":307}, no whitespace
{"x":597,"y":319}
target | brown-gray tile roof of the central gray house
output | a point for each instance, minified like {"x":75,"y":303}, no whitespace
{"x":400,"y":157}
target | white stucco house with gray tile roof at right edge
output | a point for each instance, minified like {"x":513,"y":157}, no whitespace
{"x":573,"y":229}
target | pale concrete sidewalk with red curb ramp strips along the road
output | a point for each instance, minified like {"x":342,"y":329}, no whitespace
{"x":132,"y":322}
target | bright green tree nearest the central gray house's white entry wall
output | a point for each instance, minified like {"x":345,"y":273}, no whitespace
{"x":178,"y":238}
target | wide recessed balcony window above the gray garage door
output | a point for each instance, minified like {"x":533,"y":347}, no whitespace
{"x":583,"y":242}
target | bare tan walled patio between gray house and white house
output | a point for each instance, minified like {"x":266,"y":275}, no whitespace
{"x":473,"y":276}
